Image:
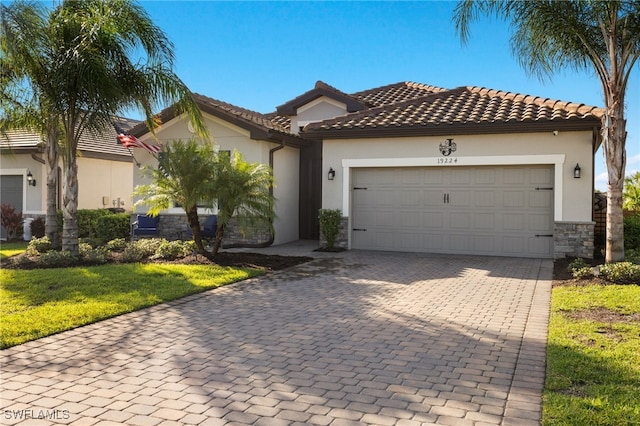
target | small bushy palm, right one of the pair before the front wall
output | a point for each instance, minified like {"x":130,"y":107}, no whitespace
{"x":242,"y":191}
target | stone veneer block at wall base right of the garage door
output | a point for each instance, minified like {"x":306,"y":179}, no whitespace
{"x":573,"y":239}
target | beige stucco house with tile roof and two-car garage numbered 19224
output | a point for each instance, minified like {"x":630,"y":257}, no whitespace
{"x":421,"y":169}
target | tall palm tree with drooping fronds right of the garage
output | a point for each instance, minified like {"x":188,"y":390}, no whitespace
{"x":601,"y":36}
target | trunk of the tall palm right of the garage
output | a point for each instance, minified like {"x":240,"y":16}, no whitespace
{"x":615,"y":155}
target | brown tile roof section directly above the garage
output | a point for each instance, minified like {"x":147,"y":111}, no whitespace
{"x":461,"y":106}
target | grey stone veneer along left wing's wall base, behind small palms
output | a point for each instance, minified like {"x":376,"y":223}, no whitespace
{"x":175,"y":227}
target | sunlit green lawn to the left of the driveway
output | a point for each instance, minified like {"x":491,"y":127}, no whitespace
{"x":40,"y":302}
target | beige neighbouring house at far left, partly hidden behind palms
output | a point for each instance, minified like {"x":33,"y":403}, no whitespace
{"x":105,"y":172}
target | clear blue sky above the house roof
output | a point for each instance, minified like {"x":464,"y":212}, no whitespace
{"x":258,"y":55}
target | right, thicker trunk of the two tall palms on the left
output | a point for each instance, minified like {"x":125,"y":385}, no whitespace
{"x":70,"y":204}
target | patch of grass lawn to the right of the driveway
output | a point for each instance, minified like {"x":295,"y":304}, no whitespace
{"x":593,"y":356}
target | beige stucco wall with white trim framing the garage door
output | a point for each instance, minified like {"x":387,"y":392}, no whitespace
{"x":574,"y":195}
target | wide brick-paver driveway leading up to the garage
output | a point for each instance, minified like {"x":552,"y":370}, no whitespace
{"x":355,"y":338}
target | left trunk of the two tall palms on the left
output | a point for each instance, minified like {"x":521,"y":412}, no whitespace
{"x":51,"y":164}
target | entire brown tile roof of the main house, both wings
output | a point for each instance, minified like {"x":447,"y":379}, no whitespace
{"x":407,"y":105}
